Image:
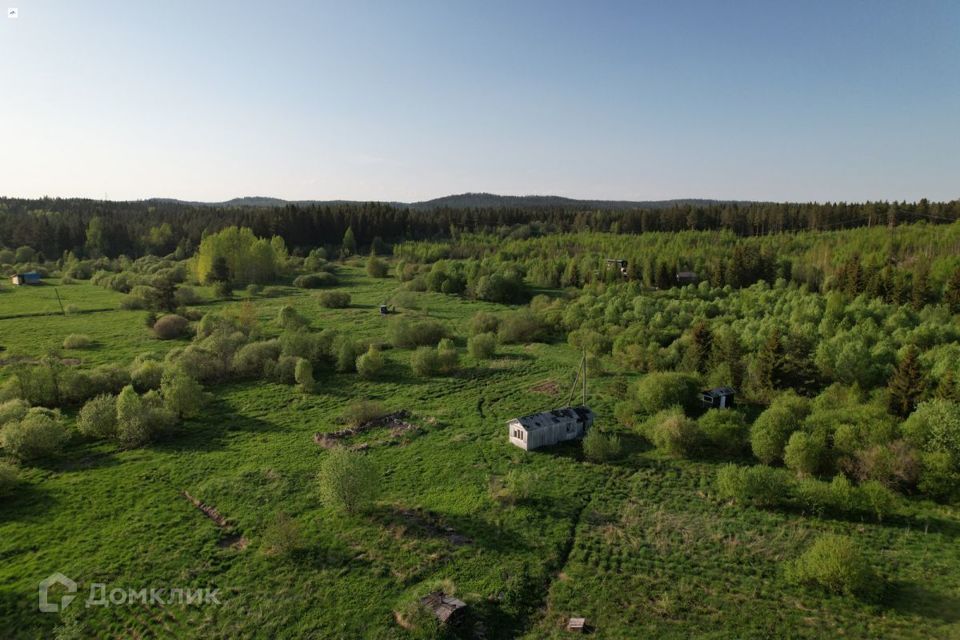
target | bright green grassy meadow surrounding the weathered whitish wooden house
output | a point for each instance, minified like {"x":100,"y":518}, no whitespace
{"x":640,"y":547}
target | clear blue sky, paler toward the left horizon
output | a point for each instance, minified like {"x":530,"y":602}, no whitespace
{"x":408,"y":100}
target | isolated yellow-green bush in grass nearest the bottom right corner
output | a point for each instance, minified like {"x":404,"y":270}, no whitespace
{"x":834,"y":563}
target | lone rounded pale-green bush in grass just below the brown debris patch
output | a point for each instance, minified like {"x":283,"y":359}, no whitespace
{"x":348,"y":480}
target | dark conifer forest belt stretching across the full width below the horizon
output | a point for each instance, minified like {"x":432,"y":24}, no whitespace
{"x":93,"y":227}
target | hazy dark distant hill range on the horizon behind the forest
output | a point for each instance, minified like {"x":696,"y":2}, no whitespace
{"x":465,"y":201}
